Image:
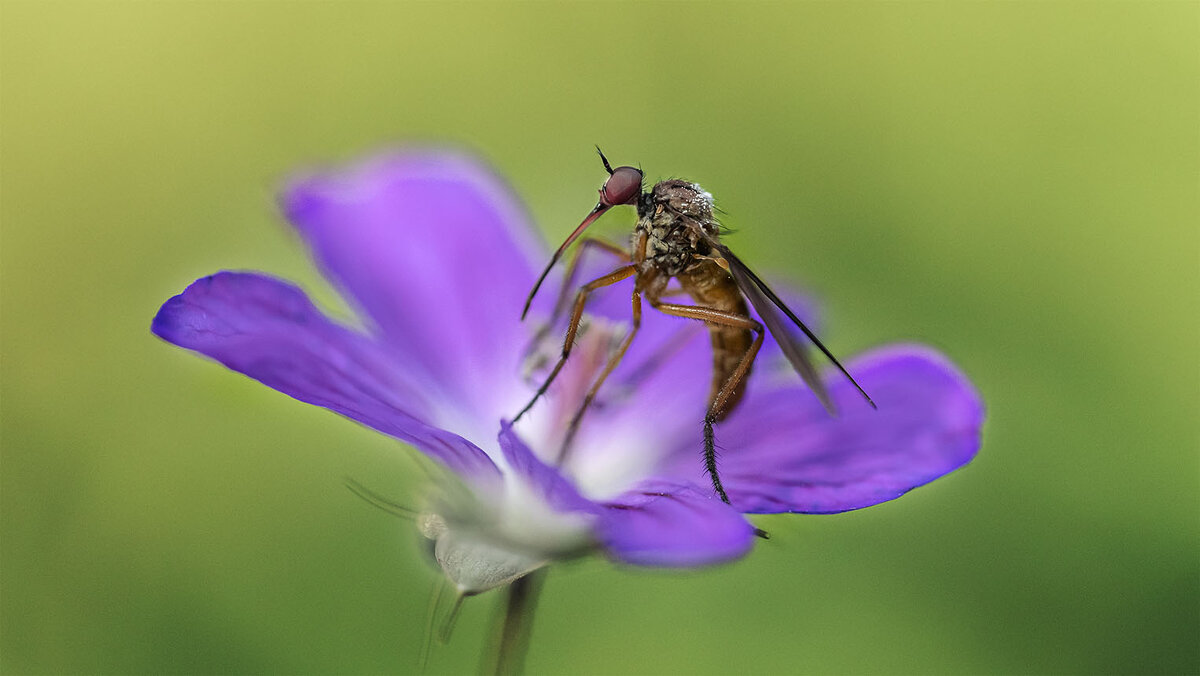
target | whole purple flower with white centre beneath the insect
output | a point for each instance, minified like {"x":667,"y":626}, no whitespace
{"x":439,"y":256}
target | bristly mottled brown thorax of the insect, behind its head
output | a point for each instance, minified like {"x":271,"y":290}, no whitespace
{"x":675,"y":217}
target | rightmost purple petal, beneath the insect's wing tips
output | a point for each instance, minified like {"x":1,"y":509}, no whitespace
{"x":783,"y":453}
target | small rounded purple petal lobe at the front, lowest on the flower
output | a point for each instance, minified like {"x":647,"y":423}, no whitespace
{"x":670,"y":524}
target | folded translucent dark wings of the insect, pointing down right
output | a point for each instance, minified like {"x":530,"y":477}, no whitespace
{"x":782,"y":324}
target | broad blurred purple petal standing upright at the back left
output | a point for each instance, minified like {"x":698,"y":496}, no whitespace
{"x":439,"y":254}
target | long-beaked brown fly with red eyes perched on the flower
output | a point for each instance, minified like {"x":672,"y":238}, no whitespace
{"x":677,"y":237}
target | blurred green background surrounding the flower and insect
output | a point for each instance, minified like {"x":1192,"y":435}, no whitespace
{"x":1016,"y":184}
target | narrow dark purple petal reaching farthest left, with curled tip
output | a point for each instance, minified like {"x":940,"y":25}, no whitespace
{"x":271,"y":332}
